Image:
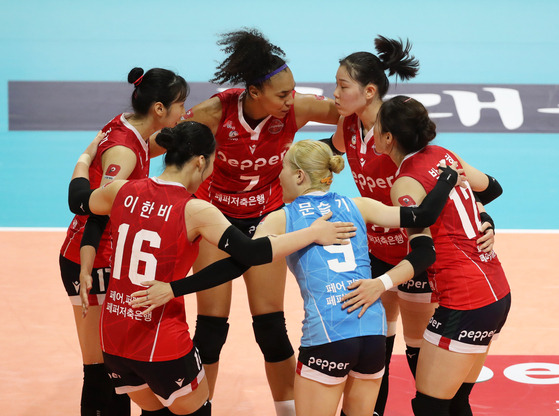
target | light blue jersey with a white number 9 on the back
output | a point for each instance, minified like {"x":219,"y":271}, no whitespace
{"x":324,"y":272}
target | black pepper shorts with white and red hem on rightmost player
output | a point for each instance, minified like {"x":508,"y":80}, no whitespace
{"x":470,"y":331}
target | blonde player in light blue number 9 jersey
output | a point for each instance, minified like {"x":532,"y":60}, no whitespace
{"x":343,"y":352}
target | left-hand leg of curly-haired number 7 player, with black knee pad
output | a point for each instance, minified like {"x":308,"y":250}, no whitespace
{"x":213,"y":306}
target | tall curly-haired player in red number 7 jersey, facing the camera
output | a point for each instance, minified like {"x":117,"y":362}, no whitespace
{"x":252,"y":126}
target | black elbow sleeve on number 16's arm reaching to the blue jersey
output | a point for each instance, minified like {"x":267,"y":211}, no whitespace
{"x":244,"y":249}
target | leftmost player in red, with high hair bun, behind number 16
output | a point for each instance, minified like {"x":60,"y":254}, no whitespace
{"x":124,"y":152}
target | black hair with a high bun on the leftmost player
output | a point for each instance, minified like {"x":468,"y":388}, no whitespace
{"x":156,"y":85}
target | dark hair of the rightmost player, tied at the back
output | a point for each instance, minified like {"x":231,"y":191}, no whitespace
{"x":408,"y":121}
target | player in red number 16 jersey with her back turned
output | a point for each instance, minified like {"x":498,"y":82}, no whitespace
{"x":156,"y":225}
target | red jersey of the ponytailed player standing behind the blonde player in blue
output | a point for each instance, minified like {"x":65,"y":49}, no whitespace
{"x":373,"y":174}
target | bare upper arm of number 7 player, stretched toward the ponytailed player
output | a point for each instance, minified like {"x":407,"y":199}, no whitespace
{"x":310,"y":107}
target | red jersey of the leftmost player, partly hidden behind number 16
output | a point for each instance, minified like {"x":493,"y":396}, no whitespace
{"x":119,"y":133}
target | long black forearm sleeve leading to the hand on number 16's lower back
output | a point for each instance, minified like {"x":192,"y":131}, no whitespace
{"x":213,"y":275}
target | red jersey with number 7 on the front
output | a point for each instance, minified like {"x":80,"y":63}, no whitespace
{"x":245,"y":180}
